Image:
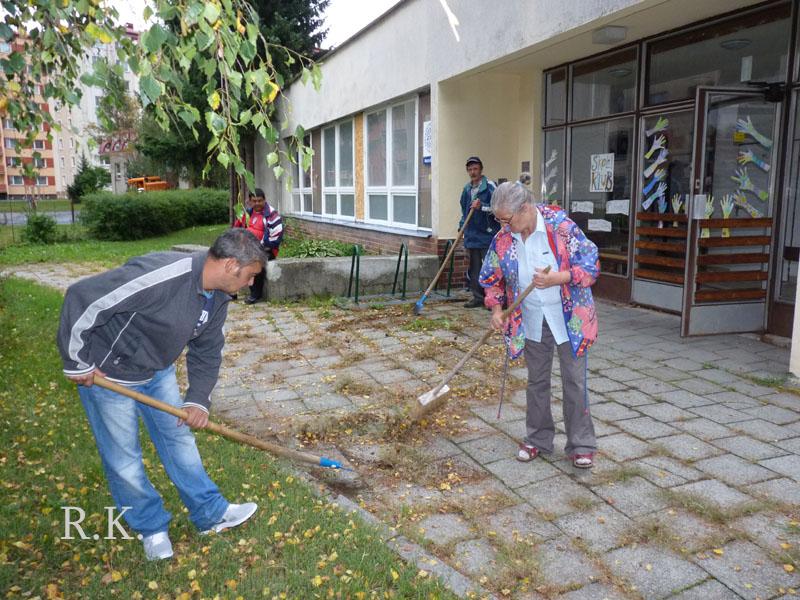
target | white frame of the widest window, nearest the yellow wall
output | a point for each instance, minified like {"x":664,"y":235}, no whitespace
{"x":390,"y":190}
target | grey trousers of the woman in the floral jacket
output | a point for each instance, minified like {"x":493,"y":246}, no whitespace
{"x":539,"y":420}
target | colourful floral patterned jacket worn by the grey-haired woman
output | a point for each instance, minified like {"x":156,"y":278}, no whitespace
{"x":573,"y":253}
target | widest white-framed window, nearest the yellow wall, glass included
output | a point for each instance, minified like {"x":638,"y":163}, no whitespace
{"x":391,"y":148}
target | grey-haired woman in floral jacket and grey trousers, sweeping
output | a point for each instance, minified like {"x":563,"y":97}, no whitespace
{"x":559,"y":313}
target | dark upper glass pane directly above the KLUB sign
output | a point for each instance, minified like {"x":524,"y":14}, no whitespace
{"x":604,"y":86}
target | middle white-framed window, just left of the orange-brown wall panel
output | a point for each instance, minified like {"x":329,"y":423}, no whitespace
{"x":338,"y":193}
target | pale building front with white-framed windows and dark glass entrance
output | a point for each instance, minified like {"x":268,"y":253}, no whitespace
{"x":669,"y":130}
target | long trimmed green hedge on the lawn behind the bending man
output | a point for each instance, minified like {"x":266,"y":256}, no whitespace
{"x":135,"y":216}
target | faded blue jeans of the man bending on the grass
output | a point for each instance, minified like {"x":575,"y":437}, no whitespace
{"x":115,"y":422}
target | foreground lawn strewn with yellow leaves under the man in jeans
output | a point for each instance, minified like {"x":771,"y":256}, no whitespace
{"x":296,"y":544}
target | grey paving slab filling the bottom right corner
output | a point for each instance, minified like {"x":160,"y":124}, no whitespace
{"x":747,"y":570}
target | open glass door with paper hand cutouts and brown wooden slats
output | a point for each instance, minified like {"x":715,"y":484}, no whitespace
{"x":730,"y":213}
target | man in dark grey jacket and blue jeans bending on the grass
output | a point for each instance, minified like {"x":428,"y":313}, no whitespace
{"x":130,"y":325}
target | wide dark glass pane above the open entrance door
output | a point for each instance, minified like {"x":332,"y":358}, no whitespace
{"x":749,"y":47}
